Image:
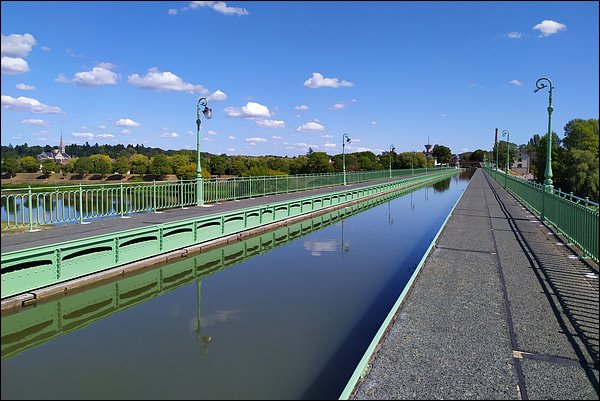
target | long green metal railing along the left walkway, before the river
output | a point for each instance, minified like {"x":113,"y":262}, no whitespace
{"x":33,"y":207}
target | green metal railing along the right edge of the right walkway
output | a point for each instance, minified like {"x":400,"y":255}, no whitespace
{"x":574,"y":217}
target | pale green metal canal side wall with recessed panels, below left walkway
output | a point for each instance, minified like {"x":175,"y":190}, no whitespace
{"x":26,"y":270}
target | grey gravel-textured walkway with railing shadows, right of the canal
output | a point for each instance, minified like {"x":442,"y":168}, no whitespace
{"x":501,"y":309}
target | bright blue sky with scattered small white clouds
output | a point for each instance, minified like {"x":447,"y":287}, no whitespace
{"x":285,"y":76}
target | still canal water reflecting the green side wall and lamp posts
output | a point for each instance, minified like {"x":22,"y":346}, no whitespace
{"x":284,"y":315}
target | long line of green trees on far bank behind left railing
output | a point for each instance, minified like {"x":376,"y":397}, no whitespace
{"x":122,"y":160}
